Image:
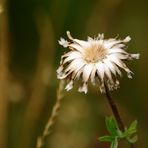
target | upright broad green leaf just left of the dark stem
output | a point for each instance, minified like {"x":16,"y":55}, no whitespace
{"x":112,"y":126}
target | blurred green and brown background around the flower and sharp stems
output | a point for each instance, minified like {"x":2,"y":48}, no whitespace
{"x":29,"y":57}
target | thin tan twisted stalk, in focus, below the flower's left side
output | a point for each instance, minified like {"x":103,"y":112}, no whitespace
{"x":52,"y":119}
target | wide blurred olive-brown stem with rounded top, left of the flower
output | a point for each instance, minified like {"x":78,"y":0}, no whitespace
{"x":41,"y":79}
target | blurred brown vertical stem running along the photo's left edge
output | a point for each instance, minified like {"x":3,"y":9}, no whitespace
{"x":4,"y":43}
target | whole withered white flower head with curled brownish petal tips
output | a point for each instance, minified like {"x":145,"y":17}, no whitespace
{"x":98,"y":60}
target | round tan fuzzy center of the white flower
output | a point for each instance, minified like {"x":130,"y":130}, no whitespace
{"x":94,"y":53}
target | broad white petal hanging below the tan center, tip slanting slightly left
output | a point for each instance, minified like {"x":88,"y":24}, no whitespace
{"x":87,"y":71}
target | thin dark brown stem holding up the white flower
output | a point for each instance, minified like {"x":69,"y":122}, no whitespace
{"x":116,"y":113}
